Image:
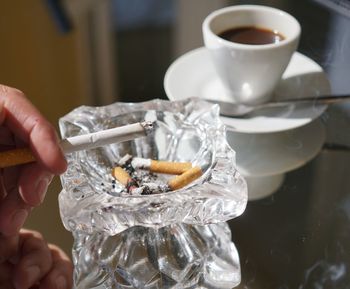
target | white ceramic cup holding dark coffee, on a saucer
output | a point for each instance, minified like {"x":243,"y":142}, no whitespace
{"x":250,"y":73}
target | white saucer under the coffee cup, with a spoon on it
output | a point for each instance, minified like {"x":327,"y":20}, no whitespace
{"x":193,"y":74}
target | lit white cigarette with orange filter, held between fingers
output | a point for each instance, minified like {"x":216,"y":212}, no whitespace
{"x":82,"y":142}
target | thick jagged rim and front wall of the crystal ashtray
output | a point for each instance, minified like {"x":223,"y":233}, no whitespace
{"x":188,"y":204}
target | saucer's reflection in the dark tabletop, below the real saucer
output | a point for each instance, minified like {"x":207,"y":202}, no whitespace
{"x":264,"y":155}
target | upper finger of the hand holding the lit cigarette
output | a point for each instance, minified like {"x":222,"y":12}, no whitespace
{"x":27,"y":123}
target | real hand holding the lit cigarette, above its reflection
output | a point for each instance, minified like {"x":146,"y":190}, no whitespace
{"x":24,"y":187}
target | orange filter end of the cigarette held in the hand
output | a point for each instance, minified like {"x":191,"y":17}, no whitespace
{"x":16,"y":157}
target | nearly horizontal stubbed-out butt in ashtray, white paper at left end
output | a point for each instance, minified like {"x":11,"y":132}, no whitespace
{"x":164,"y":167}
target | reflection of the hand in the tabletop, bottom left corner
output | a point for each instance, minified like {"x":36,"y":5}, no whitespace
{"x":29,"y":262}
